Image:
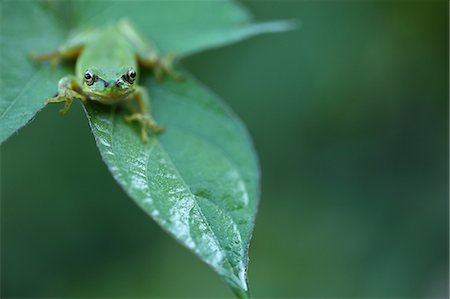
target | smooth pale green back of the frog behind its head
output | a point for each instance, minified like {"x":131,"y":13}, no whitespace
{"x":109,"y":49}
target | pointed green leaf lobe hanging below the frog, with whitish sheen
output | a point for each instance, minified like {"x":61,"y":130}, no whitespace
{"x":198,"y":180}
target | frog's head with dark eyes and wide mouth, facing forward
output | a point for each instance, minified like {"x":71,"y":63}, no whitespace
{"x":109,"y":83}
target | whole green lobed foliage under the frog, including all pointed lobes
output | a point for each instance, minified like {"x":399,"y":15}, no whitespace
{"x":199,"y":180}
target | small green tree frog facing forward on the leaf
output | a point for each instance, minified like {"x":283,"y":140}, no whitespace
{"x":107,"y":70}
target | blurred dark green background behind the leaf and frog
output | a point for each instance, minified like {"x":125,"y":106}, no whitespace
{"x":349,"y":115}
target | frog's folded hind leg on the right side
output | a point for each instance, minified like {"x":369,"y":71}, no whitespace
{"x":147,"y":54}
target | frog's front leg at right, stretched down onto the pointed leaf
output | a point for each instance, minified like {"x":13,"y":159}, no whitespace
{"x":143,"y":116}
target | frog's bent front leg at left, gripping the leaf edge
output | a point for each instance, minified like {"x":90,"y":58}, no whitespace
{"x":68,"y":90}
